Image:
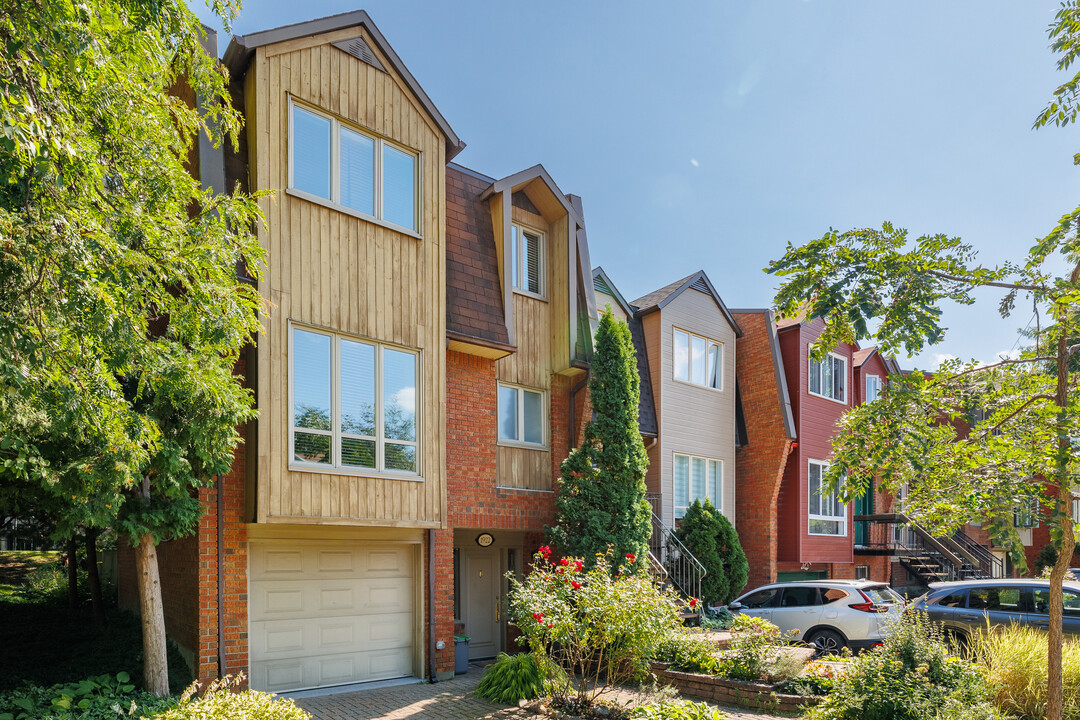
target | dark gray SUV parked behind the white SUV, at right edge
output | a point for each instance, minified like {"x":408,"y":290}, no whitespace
{"x":967,"y":606}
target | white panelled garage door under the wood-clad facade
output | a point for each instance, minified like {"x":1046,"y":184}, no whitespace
{"x":330,"y":613}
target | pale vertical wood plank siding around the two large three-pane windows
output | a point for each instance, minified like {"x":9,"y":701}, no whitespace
{"x":334,"y":271}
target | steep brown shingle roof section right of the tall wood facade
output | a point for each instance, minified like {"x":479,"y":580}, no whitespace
{"x":474,"y":292}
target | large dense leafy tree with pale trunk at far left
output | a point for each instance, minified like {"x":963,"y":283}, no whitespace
{"x":121,"y":315}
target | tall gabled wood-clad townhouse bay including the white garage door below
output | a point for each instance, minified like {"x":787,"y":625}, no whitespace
{"x":312,"y":567}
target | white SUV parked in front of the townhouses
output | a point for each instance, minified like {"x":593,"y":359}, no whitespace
{"x":830,"y":614}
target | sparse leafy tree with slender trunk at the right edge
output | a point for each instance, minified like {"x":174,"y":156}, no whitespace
{"x":882,"y":284}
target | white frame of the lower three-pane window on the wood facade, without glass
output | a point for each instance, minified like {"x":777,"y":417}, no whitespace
{"x":336,"y":468}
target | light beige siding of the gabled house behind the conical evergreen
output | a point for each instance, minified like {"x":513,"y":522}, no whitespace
{"x":694,"y":420}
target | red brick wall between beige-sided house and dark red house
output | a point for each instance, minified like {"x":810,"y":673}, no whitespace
{"x":760,"y":466}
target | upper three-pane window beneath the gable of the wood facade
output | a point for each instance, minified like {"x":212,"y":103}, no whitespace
{"x":353,"y":170}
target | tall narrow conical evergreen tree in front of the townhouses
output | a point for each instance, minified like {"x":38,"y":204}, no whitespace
{"x":601,"y":502}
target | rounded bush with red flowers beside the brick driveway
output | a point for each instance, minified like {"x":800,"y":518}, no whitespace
{"x":602,"y":627}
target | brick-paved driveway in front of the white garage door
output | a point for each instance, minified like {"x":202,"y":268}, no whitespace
{"x":443,"y":701}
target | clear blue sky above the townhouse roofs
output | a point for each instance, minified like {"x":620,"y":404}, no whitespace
{"x":708,"y":135}
